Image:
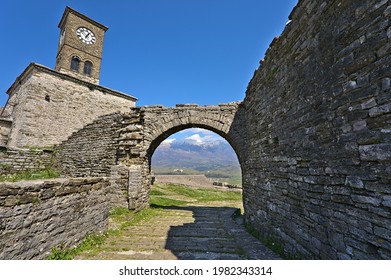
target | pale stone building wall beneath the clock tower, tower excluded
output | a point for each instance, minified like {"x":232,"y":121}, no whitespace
{"x":48,"y":106}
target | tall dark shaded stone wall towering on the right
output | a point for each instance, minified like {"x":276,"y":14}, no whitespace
{"x":317,"y":175}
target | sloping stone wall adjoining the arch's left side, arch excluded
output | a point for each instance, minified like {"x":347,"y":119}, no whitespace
{"x":92,"y":152}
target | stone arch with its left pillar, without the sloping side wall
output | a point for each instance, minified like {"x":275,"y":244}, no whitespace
{"x":146,"y":127}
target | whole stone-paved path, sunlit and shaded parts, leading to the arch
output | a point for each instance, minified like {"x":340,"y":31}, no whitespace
{"x":189,"y":232}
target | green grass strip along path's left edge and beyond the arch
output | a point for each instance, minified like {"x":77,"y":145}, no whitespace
{"x":122,"y":218}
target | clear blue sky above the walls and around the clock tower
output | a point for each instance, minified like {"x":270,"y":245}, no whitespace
{"x":164,"y":52}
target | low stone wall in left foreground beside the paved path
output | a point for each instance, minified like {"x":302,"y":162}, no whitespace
{"x":36,"y":216}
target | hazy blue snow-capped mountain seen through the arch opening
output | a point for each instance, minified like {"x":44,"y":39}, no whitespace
{"x":192,"y":153}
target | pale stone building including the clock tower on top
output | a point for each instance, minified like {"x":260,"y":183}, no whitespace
{"x":46,"y":106}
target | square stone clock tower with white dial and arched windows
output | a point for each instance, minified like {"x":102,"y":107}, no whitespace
{"x":80,"y":47}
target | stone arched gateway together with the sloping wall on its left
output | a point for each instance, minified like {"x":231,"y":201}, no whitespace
{"x":121,"y":145}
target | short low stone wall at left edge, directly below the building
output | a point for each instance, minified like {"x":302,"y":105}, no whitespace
{"x":16,"y":160}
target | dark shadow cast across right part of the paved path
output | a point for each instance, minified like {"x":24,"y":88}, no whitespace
{"x":214,"y":235}
